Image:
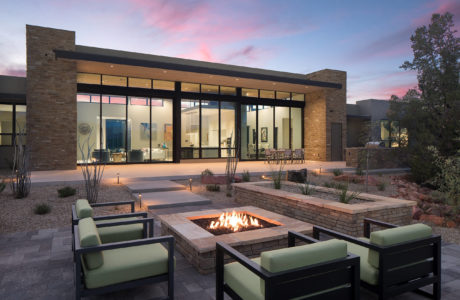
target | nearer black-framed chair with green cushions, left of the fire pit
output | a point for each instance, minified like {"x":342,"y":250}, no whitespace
{"x":103,"y":268}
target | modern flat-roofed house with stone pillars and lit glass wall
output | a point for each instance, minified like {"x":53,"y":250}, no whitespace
{"x":140,"y":108}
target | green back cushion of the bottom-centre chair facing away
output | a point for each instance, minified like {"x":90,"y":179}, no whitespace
{"x":301,"y":256}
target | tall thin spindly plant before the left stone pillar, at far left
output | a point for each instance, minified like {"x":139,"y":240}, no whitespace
{"x":20,"y":176}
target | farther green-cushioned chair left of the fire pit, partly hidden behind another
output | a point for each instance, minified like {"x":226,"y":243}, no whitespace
{"x":129,"y":228}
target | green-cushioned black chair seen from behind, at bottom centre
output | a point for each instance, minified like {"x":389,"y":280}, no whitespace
{"x":322,"y":270}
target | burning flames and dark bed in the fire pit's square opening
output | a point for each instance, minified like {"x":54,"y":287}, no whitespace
{"x":233,"y":222}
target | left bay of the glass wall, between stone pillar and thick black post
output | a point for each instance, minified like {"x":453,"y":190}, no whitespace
{"x":128,"y":129}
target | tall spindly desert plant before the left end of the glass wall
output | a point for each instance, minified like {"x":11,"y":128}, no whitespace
{"x":92,"y":170}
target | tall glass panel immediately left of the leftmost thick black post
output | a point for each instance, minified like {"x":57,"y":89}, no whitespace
{"x":162,"y":132}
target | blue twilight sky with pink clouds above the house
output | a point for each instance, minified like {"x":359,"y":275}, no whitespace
{"x":368,"y":38}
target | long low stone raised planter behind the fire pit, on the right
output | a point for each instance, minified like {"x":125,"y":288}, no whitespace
{"x":345,"y":218}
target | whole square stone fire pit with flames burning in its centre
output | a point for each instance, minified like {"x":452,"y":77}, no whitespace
{"x":196,"y":241}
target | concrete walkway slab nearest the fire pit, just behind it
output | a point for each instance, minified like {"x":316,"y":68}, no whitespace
{"x":155,"y":200}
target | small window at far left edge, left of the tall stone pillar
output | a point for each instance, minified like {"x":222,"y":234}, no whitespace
{"x":12,"y":123}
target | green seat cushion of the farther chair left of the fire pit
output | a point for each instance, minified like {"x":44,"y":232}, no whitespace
{"x":113,"y":234}
